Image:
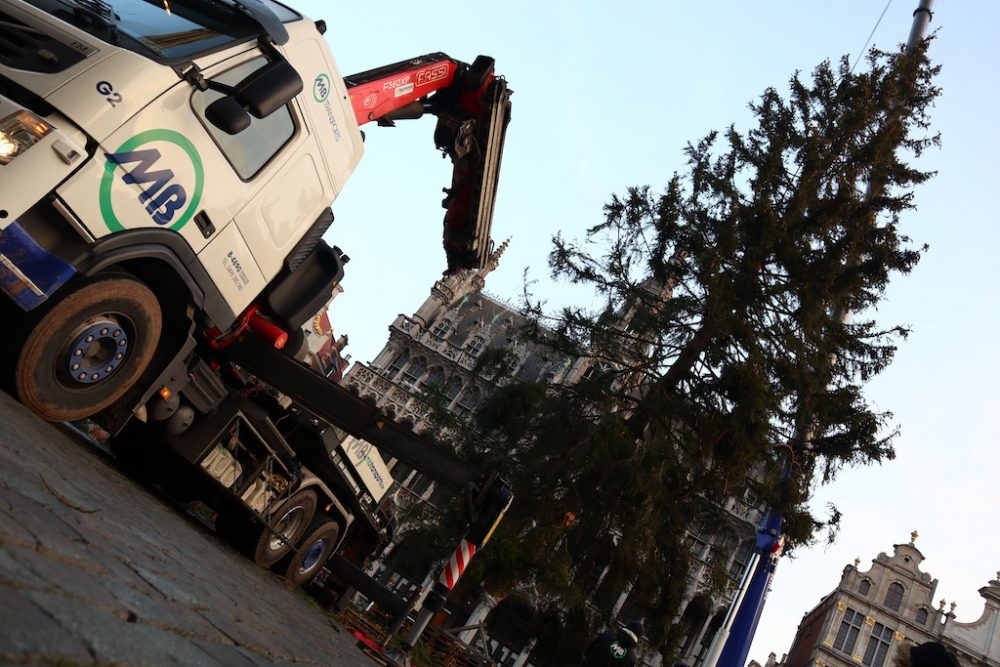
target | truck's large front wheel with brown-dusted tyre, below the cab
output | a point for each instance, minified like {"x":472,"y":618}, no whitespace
{"x":88,"y":349}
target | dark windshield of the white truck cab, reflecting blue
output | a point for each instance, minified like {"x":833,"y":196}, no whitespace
{"x":169,"y":31}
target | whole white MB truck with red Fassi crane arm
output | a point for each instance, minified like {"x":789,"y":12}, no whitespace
{"x":167,"y":172}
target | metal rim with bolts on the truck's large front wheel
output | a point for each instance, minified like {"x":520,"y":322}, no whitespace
{"x":96,"y":350}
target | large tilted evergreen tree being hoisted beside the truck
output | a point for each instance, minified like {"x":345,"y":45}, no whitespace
{"x":720,"y":349}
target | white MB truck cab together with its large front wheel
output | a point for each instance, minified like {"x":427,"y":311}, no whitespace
{"x":186,"y":147}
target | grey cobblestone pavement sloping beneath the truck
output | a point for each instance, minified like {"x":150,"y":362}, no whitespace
{"x":95,"y":570}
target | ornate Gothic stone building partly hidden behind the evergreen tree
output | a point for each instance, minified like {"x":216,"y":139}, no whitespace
{"x":439,"y":345}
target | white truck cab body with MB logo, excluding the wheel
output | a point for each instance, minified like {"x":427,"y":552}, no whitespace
{"x":122,"y":141}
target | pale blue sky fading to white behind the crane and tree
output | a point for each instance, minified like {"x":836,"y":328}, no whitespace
{"x":606,"y":95}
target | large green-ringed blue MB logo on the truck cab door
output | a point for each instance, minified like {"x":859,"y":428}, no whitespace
{"x":161,"y":171}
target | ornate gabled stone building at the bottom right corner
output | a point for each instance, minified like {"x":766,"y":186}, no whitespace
{"x":870,"y":613}
